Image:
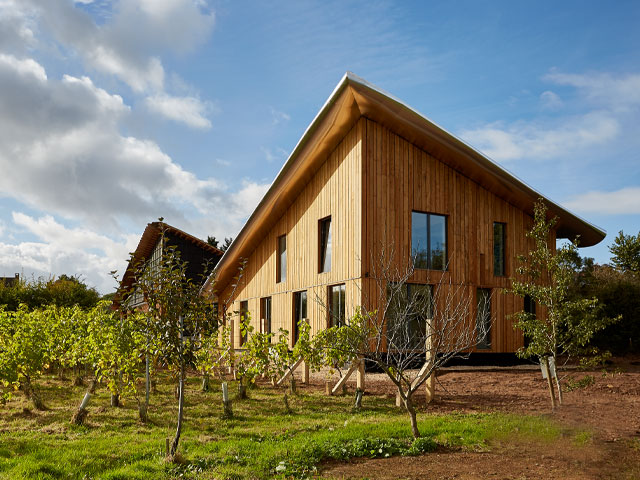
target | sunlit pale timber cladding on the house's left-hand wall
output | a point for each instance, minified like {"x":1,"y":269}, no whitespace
{"x":335,"y":190}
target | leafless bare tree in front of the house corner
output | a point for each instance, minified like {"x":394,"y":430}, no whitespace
{"x":409,"y":330}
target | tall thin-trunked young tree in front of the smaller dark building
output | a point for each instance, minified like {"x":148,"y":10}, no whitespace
{"x":180,"y":318}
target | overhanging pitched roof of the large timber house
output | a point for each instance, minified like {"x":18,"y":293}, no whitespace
{"x":353,"y":98}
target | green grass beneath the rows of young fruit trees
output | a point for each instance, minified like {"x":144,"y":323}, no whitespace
{"x":261,"y":441}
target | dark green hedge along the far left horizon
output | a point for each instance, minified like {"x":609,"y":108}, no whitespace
{"x":63,"y":291}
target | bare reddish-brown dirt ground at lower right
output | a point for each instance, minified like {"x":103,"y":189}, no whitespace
{"x":609,"y":408}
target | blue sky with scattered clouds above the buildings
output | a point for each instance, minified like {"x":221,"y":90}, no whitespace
{"x":113,"y":114}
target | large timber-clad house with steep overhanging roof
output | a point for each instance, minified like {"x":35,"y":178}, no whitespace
{"x":368,"y":173}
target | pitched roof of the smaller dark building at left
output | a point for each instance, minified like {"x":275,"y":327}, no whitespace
{"x":145,"y":247}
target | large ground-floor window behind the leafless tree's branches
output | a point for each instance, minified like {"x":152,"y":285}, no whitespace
{"x":410,"y":309}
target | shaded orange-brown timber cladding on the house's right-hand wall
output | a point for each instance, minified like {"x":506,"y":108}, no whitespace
{"x":399,"y":177}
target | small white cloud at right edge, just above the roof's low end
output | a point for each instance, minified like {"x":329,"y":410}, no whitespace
{"x":623,"y":201}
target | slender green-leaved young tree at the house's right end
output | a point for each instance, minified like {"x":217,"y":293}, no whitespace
{"x":547,"y":278}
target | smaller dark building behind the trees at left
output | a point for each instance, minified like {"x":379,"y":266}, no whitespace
{"x":199,"y":255}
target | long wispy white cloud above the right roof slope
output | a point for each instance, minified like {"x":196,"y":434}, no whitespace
{"x":543,"y":141}
